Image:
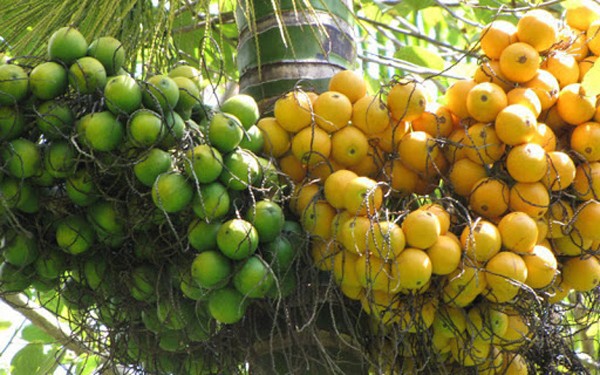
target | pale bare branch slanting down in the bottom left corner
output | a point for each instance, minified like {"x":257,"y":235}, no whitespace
{"x":46,"y":321}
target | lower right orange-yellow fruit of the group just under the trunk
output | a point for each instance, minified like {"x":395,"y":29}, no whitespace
{"x":349,"y":146}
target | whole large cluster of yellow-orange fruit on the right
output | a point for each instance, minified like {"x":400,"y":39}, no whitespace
{"x":518,"y":144}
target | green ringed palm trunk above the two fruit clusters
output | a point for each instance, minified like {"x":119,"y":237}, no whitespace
{"x":294,"y":44}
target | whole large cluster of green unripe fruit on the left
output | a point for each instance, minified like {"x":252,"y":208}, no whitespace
{"x":134,"y":201}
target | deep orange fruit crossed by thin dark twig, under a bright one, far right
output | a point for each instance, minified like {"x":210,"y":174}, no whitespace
{"x":531,"y":198}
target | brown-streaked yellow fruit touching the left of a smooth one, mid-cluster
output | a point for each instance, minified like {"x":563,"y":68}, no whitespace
{"x":385,"y":240}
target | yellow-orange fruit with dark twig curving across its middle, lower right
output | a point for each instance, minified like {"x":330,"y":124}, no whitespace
{"x":505,"y":272}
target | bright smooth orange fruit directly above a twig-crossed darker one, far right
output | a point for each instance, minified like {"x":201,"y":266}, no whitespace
{"x":527,"y":162}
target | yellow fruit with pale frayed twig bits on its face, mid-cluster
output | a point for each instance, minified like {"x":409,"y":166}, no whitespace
{"x":363,"y":196}
